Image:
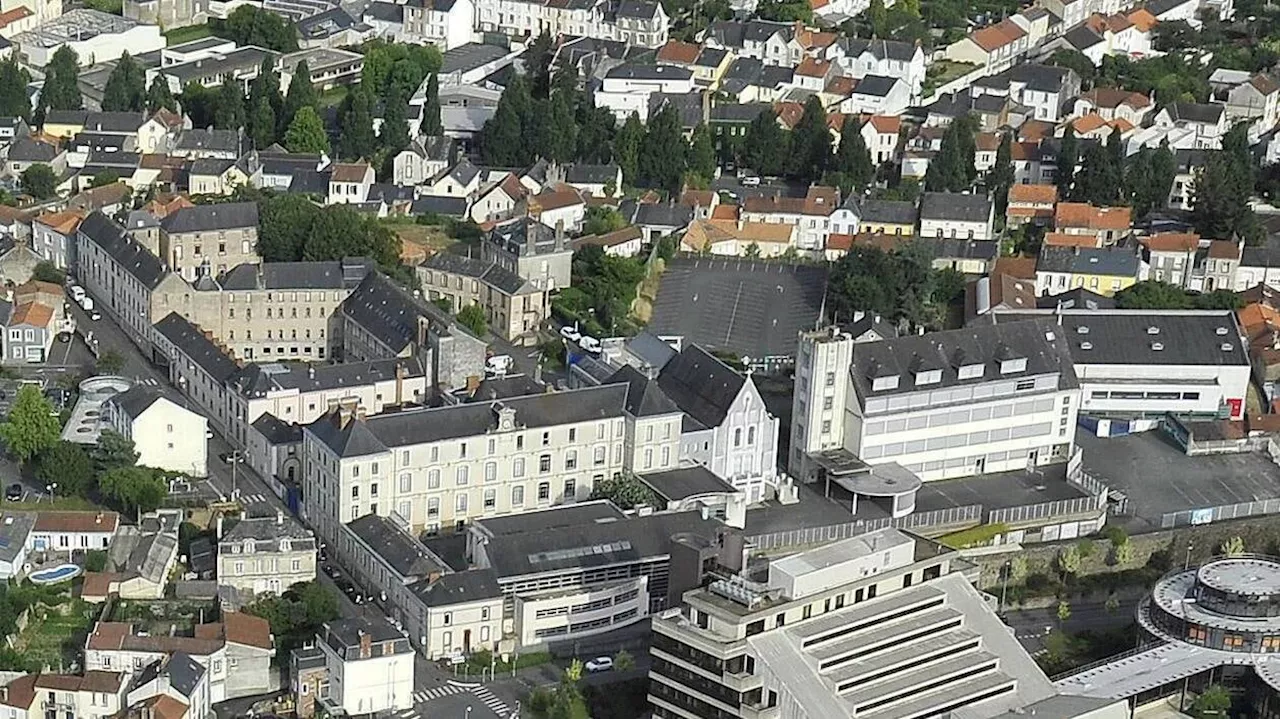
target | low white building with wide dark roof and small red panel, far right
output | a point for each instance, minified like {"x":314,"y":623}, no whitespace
{"x":1135,"y":364}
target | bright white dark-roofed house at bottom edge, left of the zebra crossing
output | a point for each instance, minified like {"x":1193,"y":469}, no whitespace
{"x":371,"y":666}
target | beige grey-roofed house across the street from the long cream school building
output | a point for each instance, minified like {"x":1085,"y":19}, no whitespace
{"x":266,"y":555}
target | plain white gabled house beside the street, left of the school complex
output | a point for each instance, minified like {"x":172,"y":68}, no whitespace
{"x":166,"y":434}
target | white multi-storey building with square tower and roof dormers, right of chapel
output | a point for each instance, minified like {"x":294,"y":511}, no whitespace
{"x":943,"y":405}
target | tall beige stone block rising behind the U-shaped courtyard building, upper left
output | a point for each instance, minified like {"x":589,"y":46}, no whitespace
{"x":209,"y":240}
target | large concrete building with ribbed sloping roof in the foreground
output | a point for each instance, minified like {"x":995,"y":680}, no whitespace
{"x":877,"y":626}
